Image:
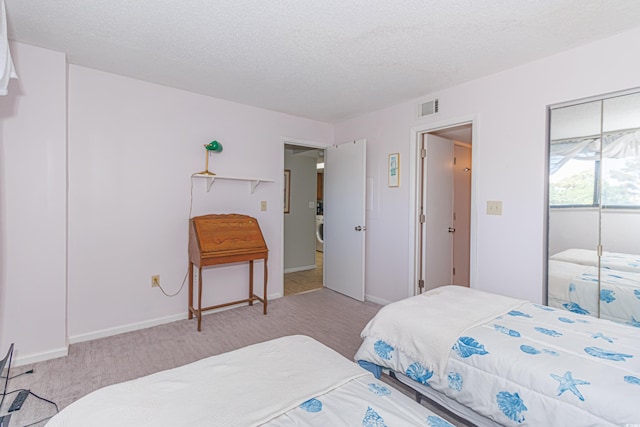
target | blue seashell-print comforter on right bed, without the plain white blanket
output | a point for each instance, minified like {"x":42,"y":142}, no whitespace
{"x":534,"y":366}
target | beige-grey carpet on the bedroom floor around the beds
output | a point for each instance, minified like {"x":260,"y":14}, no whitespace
{"x":327,"y":316}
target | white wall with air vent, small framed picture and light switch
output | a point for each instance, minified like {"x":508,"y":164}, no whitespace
{"x":510,"y":124}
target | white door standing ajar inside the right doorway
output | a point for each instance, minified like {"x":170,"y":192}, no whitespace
{"x":438,"y":244}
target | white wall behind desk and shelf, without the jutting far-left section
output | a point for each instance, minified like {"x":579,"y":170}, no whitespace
{"x":132,"y":148}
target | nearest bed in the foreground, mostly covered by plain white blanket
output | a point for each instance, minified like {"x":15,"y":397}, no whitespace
{"x":290,"y":381}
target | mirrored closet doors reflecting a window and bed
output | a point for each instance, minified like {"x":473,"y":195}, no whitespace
{"x":594,"y":208}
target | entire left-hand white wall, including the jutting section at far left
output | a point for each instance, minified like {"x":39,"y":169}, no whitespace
{"x":132,"y":147}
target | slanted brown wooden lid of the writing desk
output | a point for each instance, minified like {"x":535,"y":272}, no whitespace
{"x":228,"y":233}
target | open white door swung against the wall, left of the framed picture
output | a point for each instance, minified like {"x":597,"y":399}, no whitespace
{"x":344,"y":218}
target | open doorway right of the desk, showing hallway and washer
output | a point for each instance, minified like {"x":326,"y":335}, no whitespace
{"x":303,"y":223}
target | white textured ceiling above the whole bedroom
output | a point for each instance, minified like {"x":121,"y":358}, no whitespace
{"x":325,"y":59}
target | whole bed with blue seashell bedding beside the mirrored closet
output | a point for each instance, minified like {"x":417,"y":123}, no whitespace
{"x":502,"y":361}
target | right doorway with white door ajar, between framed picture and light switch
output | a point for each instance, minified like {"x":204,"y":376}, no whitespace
{"x":443,"y":202}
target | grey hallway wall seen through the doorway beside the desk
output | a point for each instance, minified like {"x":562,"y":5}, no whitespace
{"x":300,"y":222}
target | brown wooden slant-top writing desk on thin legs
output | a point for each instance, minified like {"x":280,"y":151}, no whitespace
{"x":223,"y":239}
